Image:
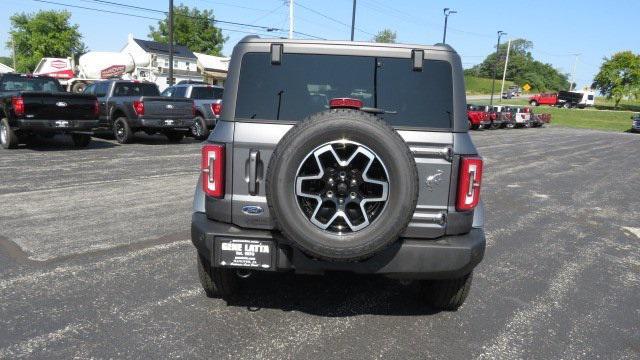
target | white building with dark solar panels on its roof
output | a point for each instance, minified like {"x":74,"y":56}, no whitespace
{"x":156,"y":55}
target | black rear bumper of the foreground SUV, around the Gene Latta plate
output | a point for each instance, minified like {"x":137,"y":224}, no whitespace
{"x":443,"y":258}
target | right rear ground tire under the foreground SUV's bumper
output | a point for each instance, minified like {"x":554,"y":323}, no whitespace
{"x":447,"y":294}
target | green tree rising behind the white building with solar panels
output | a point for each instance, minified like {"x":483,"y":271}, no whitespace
{"x":193,"y":28}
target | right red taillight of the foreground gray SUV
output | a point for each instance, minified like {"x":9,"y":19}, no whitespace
{"x":469,"y":183}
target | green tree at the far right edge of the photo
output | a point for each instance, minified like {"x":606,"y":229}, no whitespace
{"x":619,"y":76}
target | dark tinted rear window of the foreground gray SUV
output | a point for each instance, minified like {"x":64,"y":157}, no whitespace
{"x":304,"y":84}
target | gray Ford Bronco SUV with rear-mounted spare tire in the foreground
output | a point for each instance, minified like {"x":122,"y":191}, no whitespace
{"x":341,"y":156}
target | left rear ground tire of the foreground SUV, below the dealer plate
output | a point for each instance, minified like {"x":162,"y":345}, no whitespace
{"x":217,"y":282}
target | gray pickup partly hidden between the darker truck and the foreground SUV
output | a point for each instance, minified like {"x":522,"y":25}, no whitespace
{"x":207,"y":100}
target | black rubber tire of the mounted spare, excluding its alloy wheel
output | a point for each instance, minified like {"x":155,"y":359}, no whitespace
{"x":385,"y":229}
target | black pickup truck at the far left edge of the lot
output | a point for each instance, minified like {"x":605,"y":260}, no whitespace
{"x":37,"y":105}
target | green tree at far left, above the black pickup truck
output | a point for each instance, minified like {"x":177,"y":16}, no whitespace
{"x":44,"y":34}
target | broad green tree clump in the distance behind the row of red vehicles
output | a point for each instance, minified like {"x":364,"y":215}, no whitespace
{"x":522,"y":68}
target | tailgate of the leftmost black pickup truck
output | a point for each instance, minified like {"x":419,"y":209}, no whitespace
{"x":58,"y":106}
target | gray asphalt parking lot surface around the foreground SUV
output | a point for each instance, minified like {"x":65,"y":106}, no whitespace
{"x":96,"y":262}
